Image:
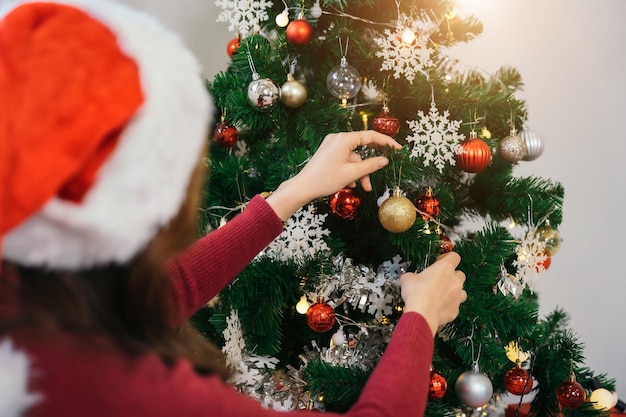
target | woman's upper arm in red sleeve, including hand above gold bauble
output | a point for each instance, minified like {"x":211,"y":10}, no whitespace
{"x":210,"y":264}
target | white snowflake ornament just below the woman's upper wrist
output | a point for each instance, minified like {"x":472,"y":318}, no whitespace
{"x":302,"y":237}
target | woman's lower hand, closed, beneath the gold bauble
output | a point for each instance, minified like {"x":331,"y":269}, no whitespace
{"x":436,"y":292}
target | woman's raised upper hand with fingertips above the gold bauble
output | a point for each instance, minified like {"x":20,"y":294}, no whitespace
{"x":333,"y":166}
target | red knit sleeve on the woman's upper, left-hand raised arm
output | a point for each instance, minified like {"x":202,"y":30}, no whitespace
{"x":210,"y":264}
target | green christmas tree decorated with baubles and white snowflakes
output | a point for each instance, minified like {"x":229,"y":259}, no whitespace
{"x":308,"y":320}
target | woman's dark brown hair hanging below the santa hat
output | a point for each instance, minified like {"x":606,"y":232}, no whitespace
{"x":132,"y":305}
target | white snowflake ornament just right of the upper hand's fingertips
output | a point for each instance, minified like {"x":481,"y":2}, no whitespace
{"x":435,"y":138}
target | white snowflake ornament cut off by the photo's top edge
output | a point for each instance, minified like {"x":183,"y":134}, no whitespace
{"x":243,"y":16}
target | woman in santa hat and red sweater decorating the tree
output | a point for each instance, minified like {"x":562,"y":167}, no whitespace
{"x":103,"y":122}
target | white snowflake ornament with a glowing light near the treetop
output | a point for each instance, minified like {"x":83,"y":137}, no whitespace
{"x":404,"y":59}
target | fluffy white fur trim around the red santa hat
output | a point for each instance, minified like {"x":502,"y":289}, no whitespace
{"x":142,"y":184}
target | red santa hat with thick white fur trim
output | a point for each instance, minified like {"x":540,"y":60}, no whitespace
{"x":103,"y":115}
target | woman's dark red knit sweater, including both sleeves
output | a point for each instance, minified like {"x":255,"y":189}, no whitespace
{"x":82,"y":382}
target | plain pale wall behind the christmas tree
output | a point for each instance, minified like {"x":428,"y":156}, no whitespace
{"x":572,"y":57}
